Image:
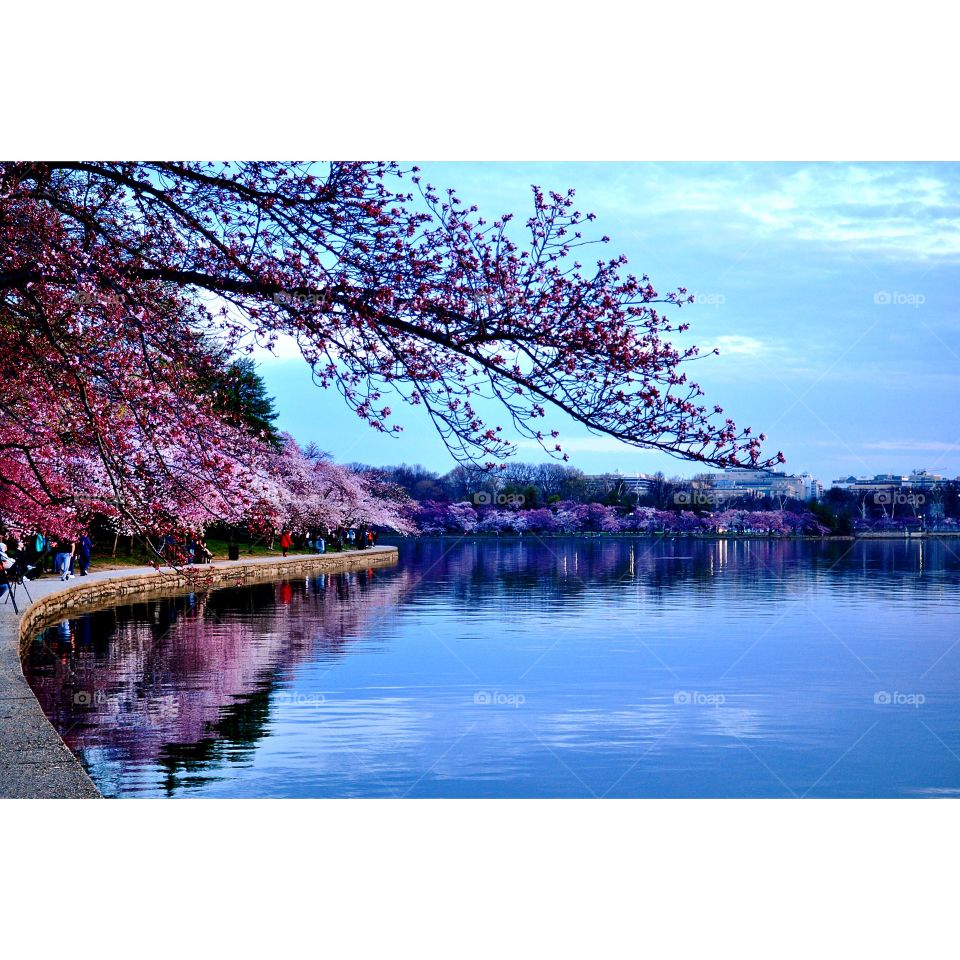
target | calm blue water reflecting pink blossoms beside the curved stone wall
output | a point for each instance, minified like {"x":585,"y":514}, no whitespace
{"x":528,"y":668}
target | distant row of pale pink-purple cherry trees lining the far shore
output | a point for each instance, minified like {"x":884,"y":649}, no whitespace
{"x":569,"y":517}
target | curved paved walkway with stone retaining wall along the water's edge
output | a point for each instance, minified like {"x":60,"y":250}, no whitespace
{"x":34,"y":761}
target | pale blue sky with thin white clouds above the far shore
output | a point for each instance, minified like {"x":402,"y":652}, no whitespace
{"x":830,"y":289}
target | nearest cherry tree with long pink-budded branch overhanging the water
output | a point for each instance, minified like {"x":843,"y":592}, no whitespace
{"x":114,"y":275}
